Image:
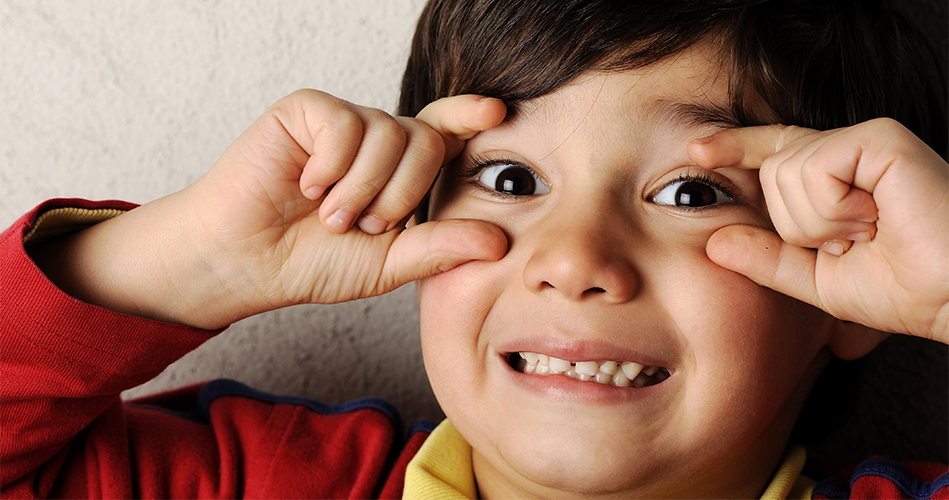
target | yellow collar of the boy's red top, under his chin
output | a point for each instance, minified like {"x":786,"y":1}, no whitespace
{"x":442,"y":470}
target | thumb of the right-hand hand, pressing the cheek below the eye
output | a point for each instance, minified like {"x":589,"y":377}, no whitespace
{"x":766,"y":259}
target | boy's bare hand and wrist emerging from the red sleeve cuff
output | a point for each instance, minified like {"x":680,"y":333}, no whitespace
{"x":307,"y":206}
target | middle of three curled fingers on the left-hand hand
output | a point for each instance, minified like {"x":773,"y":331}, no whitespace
{"x":380,"y":151}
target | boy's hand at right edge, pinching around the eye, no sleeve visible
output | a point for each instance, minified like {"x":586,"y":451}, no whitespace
{"x":873,"y":199}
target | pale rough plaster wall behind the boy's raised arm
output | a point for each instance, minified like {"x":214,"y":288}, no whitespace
{"x":135,"y":99}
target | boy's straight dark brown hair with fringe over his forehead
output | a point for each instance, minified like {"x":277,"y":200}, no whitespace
{"x":818,"y":63}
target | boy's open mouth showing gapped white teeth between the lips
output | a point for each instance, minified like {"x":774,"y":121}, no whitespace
{"x":613,"y":373}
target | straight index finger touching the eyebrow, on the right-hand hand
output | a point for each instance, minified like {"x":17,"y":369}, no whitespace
{"x":746,"y":147}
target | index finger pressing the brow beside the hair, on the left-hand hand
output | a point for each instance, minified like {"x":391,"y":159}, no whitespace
{"x":459,"y":118}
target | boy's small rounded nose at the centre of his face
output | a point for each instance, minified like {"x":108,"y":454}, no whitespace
{"x":582,"y":260}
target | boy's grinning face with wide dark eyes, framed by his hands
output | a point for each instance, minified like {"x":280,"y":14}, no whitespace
{"x":607,"y":263}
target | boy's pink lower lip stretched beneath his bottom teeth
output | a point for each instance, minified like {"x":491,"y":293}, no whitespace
{"x":563,"y":388}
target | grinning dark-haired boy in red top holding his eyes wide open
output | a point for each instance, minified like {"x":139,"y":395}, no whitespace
{"x":625,"y":291}
